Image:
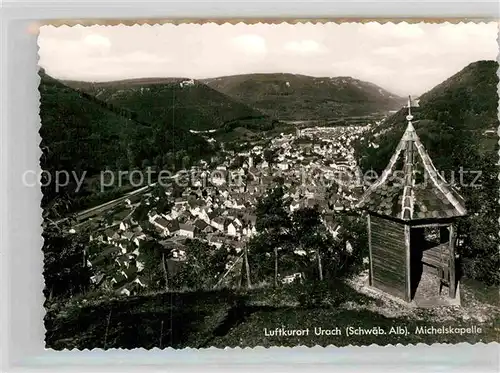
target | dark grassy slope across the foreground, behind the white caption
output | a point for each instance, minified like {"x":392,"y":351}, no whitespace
{"x":224,"y":318}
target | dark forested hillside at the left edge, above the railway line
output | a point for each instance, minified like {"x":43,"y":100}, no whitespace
{"x":81,"y":133}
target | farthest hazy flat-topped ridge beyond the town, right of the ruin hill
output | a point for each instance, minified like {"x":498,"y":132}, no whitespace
{"x":300,"y":97}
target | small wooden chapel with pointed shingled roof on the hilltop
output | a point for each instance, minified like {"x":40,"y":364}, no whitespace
{"x":411,"y":216}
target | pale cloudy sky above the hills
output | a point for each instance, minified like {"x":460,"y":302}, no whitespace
{"x":402,"y":58}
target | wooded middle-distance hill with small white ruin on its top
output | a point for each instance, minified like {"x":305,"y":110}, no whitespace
{"x":180,"y":102}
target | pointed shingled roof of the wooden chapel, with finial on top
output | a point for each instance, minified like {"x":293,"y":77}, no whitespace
{"x":410,"y":188}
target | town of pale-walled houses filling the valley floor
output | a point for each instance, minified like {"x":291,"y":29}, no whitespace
{"x":218,"y":206}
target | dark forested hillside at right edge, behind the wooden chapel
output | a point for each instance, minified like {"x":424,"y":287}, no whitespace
{"x":457,"y":122}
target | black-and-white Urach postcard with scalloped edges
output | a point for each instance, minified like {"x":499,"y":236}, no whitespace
{"x":253,"y":184}
